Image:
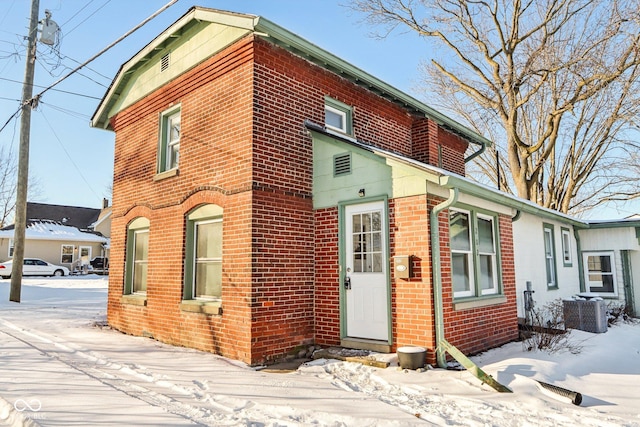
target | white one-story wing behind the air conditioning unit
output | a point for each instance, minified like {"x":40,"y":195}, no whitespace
{"x":563,"y":256}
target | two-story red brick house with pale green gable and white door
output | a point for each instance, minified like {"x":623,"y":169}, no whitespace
{"x":303,"y":201}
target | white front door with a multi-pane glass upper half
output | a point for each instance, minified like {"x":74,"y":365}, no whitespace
{"x":365,"y":279}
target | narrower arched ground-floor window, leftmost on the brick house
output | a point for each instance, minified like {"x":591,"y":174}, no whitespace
{"x":137,"y":256}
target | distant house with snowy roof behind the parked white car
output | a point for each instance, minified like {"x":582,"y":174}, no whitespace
{"x":58,"y":234}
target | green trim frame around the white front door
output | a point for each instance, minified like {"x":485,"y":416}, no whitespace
{"x":342,"y":249}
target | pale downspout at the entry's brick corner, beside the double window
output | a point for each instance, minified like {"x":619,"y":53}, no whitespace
{"x":437,"y":274}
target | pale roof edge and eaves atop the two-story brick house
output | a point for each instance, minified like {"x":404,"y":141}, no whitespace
{"x":275,"y":34}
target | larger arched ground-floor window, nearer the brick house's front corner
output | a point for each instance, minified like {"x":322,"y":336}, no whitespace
{"x":203,"y":264}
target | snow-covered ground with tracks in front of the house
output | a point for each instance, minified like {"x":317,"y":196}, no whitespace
{"x":57,"y":368}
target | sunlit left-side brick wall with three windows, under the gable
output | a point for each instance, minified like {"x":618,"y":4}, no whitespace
{"x":215,"y":159}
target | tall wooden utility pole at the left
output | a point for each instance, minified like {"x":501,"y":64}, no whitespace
{"x":23,"y":159}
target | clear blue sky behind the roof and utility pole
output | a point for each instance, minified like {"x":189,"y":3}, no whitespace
{"x":72,"y":161}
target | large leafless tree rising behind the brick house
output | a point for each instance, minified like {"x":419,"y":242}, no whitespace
{"x":555,"y":83}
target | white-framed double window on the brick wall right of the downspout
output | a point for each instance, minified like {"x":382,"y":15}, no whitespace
{"x":474,"y":256}
